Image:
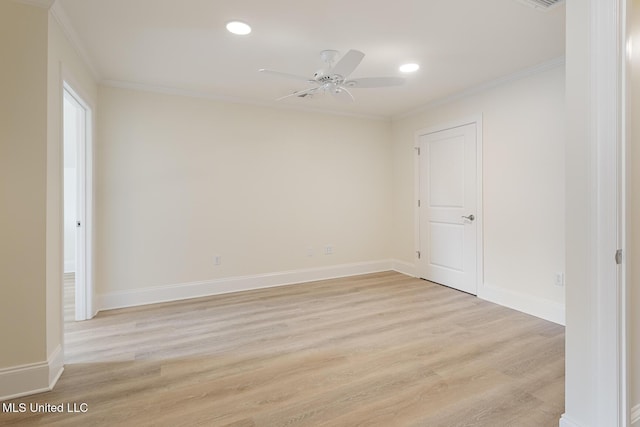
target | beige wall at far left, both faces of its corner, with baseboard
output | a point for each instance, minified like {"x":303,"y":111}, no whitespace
{"x":35,"y":57}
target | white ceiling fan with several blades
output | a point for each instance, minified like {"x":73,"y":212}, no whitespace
{"x":335,"y":78}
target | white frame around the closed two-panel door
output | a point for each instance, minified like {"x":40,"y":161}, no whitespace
{"x":477,"y":120}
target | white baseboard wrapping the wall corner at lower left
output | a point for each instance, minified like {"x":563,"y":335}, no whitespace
{"x":24,"y":380}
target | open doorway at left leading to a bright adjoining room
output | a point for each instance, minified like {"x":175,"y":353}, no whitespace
{"x":77,"y":131}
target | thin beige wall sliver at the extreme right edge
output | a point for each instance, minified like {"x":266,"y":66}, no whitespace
{"x":633,"y":205}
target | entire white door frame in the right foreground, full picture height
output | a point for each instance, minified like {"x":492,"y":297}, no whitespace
{"x":596,"y":388}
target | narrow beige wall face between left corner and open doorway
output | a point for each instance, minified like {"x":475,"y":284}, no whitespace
{"x":64,"y":64}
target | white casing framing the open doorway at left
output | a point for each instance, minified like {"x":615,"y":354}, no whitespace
{"x":84,"y":294}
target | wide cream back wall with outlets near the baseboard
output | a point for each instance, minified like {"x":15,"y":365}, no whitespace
{"x":181,"y":180}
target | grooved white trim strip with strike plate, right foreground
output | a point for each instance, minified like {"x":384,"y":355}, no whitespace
{"x":606,"y":205}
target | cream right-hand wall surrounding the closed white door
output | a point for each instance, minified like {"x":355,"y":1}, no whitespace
{"x":523,"y":187}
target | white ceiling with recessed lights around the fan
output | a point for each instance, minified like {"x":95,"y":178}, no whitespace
{"x":182,"y":45}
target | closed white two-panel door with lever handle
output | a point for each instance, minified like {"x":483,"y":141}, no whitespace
{"x":448,"y":216}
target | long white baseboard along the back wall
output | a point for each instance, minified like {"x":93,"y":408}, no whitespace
{"x":183,"y":291}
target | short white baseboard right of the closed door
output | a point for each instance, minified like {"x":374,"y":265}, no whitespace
{"x":539,"y":307}
